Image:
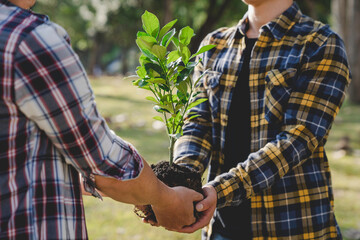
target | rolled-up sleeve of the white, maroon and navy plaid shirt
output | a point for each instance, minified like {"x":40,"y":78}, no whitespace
{"x":52,"y":90}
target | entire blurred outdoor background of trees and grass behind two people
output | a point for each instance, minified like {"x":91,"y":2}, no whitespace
{"x":103,"y":34}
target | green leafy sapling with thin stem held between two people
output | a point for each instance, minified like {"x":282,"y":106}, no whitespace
{"x":166,"y":67}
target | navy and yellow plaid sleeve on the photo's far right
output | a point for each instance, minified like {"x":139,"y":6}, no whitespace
{"x":315,"y":100}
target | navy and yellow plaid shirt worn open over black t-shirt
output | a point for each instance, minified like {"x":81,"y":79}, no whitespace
{"x":298,"y":77}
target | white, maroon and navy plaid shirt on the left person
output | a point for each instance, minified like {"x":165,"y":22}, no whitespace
{"x":50,"y":132}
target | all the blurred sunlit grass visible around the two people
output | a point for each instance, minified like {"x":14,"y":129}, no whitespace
{"x":130,"y":116}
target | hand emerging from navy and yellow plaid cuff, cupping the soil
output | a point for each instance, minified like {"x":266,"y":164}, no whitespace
{"x":207,"y":207}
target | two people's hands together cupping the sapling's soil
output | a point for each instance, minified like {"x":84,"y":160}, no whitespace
{"x":178,"y":214}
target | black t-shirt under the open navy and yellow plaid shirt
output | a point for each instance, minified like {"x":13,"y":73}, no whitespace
{"x":233,"y":222}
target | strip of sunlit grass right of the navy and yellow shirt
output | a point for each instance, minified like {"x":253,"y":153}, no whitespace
{"x":346,"y":169}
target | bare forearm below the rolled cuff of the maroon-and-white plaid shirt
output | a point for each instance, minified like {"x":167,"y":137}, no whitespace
{"x":143,"y":190}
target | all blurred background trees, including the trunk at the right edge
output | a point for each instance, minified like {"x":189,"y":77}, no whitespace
{"x":105,"y":30}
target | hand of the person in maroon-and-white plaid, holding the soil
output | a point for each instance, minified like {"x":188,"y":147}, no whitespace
{"x":177,"y":208}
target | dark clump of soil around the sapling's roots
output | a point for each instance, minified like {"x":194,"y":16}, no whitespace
{"x":172,"y":176}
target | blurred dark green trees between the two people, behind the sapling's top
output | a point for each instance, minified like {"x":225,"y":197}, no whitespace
{"x":102,"y":29}
